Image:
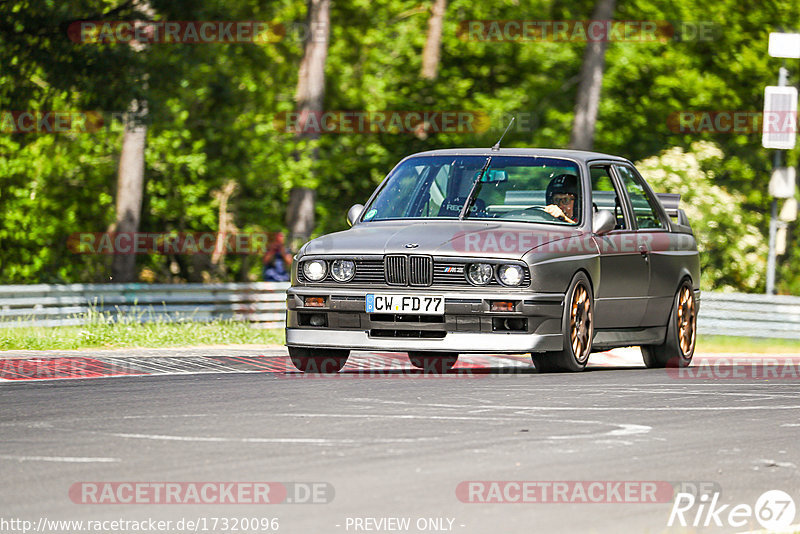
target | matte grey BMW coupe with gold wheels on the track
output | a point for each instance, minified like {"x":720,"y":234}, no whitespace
{"x":556,"y":253}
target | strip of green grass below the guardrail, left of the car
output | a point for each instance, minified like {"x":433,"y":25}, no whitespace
{"x":104,"y":331}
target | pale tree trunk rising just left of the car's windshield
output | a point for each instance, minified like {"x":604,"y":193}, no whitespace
{"x":310,"y":98}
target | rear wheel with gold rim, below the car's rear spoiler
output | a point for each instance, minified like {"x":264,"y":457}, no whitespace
{"x":678,"y":346}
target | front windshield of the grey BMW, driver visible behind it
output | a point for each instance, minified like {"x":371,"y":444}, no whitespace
{"x":544,"y":190}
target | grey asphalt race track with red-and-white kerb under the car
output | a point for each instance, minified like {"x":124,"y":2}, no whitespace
{"x":388,"y":448}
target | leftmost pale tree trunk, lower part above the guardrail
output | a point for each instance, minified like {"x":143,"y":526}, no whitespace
{"x":130,"y":184}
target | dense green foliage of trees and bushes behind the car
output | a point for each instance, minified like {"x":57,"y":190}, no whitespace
{"x":215,"y":113}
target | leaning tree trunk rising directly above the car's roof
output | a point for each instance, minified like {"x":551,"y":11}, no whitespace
{"x":594,"y":58}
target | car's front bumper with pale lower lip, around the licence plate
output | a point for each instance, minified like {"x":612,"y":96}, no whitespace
{"x":467,"y":325}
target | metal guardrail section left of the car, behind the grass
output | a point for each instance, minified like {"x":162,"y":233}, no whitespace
{"x":262,"y":303}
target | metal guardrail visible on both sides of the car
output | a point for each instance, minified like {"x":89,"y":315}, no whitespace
{"x":264,"y":304}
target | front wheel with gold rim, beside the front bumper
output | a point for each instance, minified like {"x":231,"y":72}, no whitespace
{"x":577,"y":326}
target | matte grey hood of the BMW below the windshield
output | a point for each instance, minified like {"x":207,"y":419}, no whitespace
{"x":443,"y":238}
